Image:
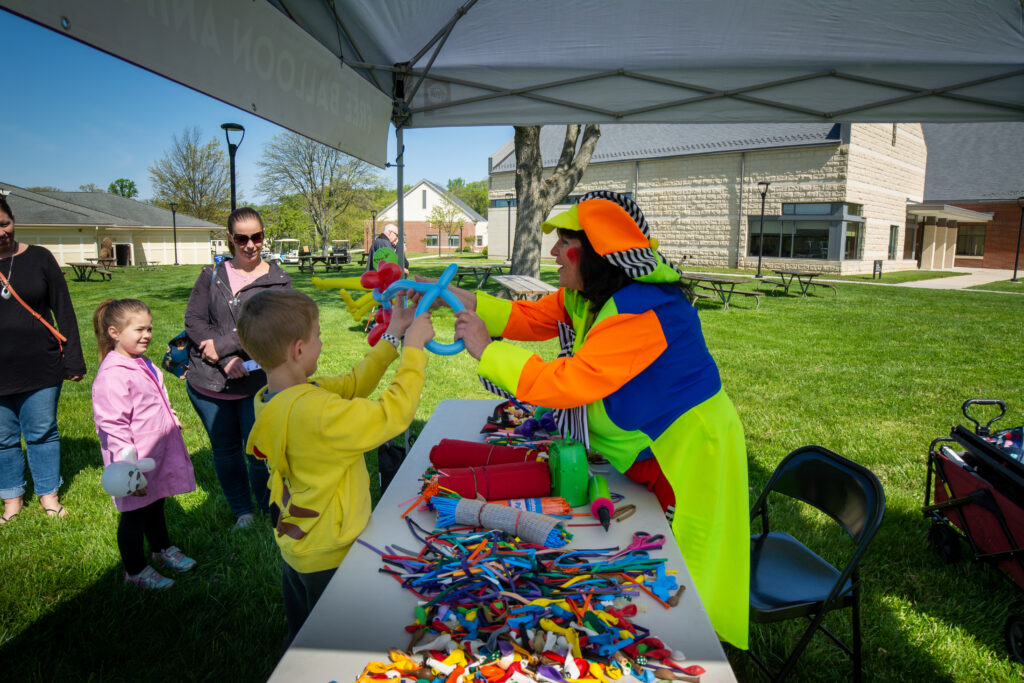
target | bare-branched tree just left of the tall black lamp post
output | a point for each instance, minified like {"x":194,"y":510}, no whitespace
{"x":196,"y":177}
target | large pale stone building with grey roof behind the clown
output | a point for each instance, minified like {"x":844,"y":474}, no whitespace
{"x":836,"y":202}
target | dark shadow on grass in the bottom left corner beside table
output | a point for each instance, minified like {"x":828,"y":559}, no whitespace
{"x":200,"y":629}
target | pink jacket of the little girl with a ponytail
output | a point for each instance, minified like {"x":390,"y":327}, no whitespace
{"x":131,"y":408}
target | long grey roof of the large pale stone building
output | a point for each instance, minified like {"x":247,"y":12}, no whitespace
{"x":637,"y":142}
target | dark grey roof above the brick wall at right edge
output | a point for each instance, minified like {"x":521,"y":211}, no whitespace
{"x":974,"y":161}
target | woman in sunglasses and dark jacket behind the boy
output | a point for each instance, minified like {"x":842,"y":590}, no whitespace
{"x":220,"y":387}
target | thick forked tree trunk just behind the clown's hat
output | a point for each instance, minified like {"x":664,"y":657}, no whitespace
{"x":537,"y":196}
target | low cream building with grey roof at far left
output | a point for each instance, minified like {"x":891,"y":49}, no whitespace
{"x":73,"y":227}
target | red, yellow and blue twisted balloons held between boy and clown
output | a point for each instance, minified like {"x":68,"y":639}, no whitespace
{"x":383,"y":286}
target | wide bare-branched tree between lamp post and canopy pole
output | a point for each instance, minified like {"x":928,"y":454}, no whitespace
{"x":330,"y":183}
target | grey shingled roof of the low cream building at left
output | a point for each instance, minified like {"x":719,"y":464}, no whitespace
{"x":56,"y":208}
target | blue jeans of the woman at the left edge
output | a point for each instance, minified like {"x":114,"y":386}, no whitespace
{"x":33,"y":414}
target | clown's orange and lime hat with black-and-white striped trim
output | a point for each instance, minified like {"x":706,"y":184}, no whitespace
{"x":617,"y":229}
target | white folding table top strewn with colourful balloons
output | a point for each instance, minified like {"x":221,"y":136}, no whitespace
{"x":363,"y":613}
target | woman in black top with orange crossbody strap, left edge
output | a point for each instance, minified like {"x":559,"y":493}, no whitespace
{"x":34,"y":368}
